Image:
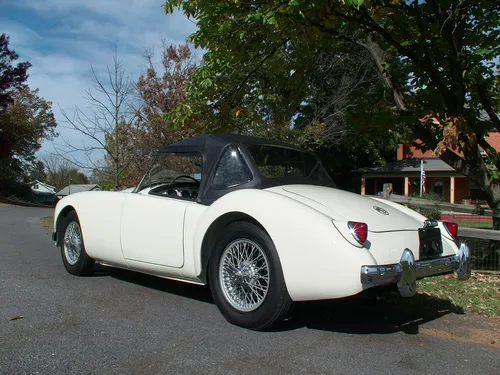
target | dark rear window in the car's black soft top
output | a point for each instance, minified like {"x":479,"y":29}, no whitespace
{"x":279,"y":162}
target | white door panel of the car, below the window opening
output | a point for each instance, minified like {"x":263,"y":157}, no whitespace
{"x":152,"y":229}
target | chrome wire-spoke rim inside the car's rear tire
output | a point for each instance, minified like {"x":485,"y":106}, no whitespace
{"x":244,"y":275}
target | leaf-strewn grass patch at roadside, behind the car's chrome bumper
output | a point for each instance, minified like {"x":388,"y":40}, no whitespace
{"x":479,"y":295}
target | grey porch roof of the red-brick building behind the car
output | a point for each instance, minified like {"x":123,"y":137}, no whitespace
{"x":411,"y":166}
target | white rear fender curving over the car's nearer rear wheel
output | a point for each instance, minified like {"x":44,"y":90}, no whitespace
{"x":317,"y":261}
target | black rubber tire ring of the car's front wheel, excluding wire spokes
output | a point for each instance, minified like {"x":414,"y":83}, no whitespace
{"x":84,"y":264}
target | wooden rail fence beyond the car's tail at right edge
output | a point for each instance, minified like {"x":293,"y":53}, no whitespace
{"x":475,"y":227}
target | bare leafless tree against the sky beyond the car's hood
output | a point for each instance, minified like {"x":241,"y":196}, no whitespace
{"x":110,"y":114}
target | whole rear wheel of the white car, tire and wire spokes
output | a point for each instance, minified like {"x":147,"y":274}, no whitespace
{"x":246,"y":278}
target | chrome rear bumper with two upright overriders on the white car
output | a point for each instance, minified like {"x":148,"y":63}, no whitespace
{"x":407,"y":271}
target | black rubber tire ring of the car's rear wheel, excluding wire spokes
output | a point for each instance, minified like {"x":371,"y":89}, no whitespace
{"x":276,"y":303}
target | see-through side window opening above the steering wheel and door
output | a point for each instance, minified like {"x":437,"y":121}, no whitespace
{"x":165,"y":168}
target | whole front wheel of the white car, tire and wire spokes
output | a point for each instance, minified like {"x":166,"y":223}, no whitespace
{"x":75,"y":258}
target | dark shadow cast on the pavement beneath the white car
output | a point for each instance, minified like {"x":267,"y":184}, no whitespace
{"x":366,"y":313}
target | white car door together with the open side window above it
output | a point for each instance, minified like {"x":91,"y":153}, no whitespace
{"x":152,"y":223}
